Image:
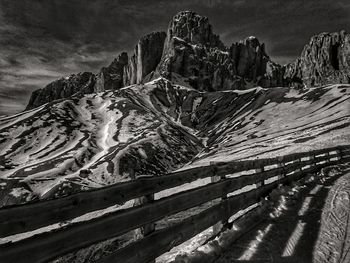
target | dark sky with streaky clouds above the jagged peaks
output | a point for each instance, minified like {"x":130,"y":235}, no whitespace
{"x":41,"y":41}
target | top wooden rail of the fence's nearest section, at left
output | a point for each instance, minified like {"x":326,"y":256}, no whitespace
{"x":19,"y":218}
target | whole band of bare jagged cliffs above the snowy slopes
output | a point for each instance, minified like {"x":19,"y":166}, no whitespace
{"x":191,"y":54}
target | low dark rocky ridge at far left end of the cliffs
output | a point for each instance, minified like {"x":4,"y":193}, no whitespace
{"x":63,"y":88}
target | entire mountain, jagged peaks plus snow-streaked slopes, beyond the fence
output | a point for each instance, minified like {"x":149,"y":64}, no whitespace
{"x":182,"y":99}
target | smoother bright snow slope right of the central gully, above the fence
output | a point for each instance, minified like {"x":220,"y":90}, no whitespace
{"x":279,"y":121}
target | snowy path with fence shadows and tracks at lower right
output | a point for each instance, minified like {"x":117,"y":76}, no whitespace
{"x":309,"y":224}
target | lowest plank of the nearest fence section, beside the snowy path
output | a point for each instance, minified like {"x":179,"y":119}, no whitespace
{"x":163,"y":240}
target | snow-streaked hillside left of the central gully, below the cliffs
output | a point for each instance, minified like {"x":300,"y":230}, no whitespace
{"x":90,"y":141}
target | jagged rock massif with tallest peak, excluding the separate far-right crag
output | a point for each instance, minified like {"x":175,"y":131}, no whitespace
{"x":189,"y":54}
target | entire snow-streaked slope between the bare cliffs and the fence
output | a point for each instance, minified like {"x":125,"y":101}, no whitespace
{"x":99,"y":139}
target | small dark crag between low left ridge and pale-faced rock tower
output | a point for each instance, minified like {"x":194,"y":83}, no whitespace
{"x":111,"y":77}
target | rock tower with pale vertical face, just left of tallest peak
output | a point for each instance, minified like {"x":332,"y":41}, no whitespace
{"x":145,"y":59}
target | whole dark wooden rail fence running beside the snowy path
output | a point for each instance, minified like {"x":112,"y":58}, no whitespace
{"x":264,"y":176}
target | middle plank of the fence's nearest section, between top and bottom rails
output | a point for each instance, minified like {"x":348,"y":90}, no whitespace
{"x":46,"y":246}
